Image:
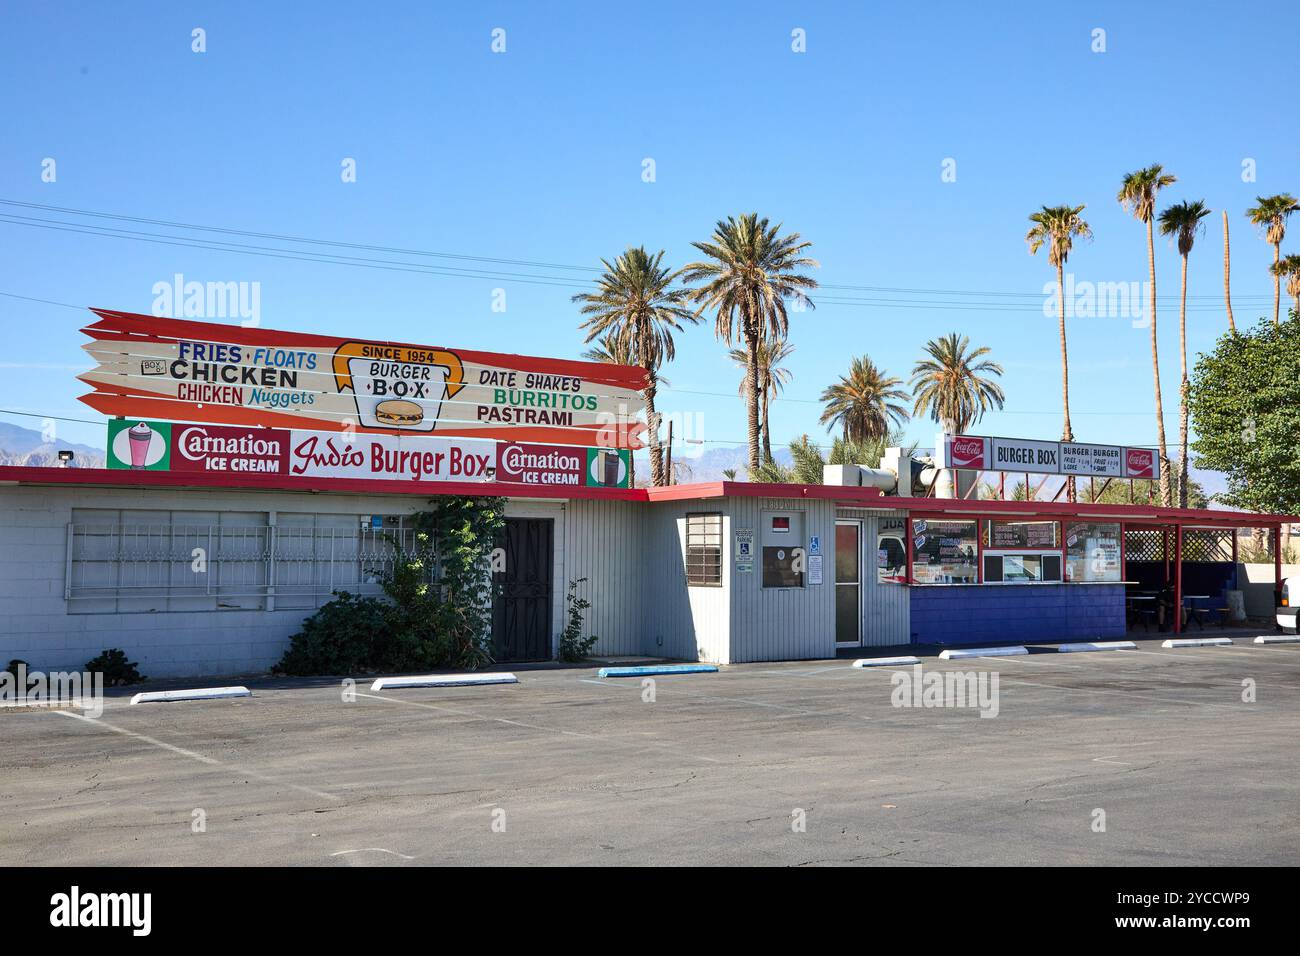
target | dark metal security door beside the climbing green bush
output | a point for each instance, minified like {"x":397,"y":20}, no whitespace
{"x":522,"y":613}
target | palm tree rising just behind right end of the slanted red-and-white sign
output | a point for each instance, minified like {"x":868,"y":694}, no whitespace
{"x":635,"y":313}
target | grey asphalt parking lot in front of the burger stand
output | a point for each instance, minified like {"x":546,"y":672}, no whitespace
{"x":566,"y":768}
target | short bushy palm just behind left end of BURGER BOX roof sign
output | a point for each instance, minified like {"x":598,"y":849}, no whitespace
{"x":955,"y":386}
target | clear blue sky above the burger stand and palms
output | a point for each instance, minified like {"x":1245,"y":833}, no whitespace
{"x":536,"y":155}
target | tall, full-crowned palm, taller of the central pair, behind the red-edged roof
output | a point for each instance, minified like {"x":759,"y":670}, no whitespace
{"x":749,"y":274}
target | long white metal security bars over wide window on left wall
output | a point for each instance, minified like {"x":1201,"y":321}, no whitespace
{"x":158,"y":566}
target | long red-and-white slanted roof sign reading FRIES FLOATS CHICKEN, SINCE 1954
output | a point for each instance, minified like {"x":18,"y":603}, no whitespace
{"x":187,"y":371}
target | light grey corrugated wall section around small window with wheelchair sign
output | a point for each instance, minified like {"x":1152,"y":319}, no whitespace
{"x":782,"y":624}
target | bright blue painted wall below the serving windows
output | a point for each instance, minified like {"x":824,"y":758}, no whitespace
{"x":994,"y":615}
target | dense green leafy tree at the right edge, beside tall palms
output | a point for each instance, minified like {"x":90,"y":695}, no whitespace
{"x":1246,"y":400}
